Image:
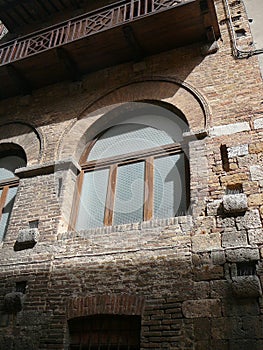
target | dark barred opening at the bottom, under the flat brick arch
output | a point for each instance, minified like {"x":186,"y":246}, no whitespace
{"x":105,"y":332}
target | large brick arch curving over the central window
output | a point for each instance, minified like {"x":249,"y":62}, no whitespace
{"x":175,"y":95}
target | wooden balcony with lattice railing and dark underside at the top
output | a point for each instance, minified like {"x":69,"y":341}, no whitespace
{"x":120,"y":32}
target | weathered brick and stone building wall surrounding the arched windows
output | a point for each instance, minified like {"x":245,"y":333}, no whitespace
{"x":190,"y":281}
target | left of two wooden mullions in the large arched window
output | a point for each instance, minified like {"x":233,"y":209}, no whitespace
{"x":108,"y":217}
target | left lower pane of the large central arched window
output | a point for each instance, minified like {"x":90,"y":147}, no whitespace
{"x":93,"y":199}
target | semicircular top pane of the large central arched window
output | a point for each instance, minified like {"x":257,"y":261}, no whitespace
{"x":127,"y":138}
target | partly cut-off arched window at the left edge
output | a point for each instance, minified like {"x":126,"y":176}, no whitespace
{"x":10,"y":160}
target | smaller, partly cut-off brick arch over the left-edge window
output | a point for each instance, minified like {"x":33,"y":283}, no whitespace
{"x":24,"y":135}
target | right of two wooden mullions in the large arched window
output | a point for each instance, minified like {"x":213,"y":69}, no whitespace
{"x":148,"y":189}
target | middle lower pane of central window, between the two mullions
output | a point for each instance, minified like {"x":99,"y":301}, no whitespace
{"x":129,"y":196}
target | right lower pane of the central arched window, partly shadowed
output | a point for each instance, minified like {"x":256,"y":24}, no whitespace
{"x":169,"y":186}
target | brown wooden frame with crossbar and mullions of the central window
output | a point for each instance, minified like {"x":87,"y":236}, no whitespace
{"x":112,"y":163}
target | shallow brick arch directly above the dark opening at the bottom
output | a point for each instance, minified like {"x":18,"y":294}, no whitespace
{"x":113,"y":304}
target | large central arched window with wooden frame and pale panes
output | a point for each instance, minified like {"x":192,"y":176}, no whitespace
{"x":133,"y":172}
